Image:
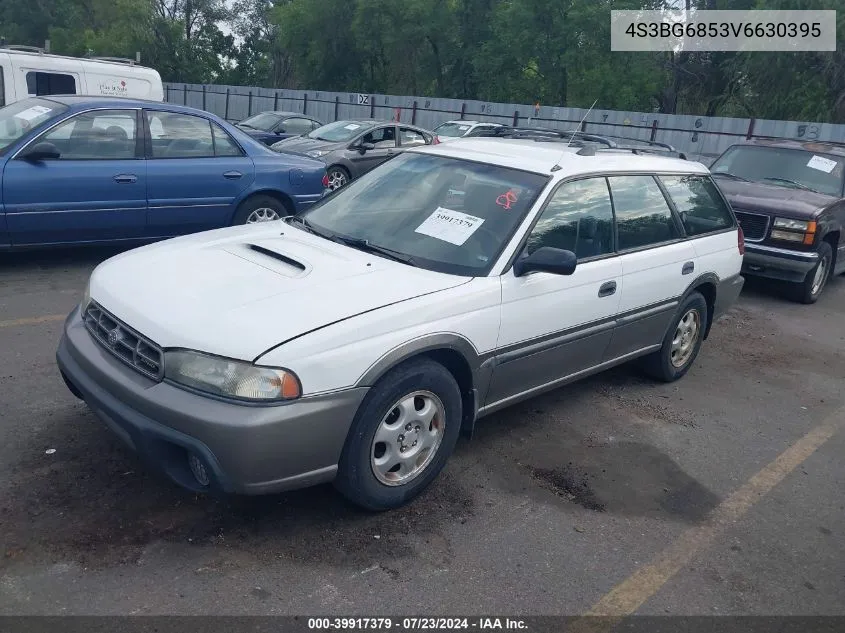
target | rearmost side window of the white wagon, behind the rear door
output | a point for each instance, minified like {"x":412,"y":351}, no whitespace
{"x":699,"y":204}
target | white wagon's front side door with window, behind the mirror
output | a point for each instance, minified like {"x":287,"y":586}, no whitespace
{"x":554,"y":326}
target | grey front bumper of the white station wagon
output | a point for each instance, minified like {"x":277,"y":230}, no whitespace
{"x":247,"y":449}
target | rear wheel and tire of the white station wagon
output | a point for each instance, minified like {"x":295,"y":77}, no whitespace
{"x":681,"y":343}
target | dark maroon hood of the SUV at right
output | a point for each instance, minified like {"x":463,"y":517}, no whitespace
{"x":757,"y":196}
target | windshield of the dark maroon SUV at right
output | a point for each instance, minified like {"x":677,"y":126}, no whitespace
{"x":787,"y":167}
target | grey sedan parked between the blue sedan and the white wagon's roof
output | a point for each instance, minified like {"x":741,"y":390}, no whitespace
{"x":351,"y":148}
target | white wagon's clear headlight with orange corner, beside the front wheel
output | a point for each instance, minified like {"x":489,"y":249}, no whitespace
{"x":230,"y":378}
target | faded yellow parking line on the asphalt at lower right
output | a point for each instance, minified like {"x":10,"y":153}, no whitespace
{"x":645,"y":582}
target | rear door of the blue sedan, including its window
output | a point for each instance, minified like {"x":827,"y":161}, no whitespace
{"x":195,"y":173}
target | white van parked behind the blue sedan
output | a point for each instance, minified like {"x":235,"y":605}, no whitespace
{"x":31,"y":72}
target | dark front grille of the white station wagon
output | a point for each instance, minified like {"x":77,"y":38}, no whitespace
{"x":124,"y":342}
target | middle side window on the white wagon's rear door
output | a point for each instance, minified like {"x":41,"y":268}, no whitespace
{"x":643,"y":217}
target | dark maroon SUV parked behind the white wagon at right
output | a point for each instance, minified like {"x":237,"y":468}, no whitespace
{"x":789,"y":197}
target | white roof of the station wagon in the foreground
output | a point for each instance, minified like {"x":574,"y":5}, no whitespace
{"x":554,"y":158}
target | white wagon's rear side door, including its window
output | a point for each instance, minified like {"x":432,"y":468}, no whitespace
{"x":658,"y":264}
